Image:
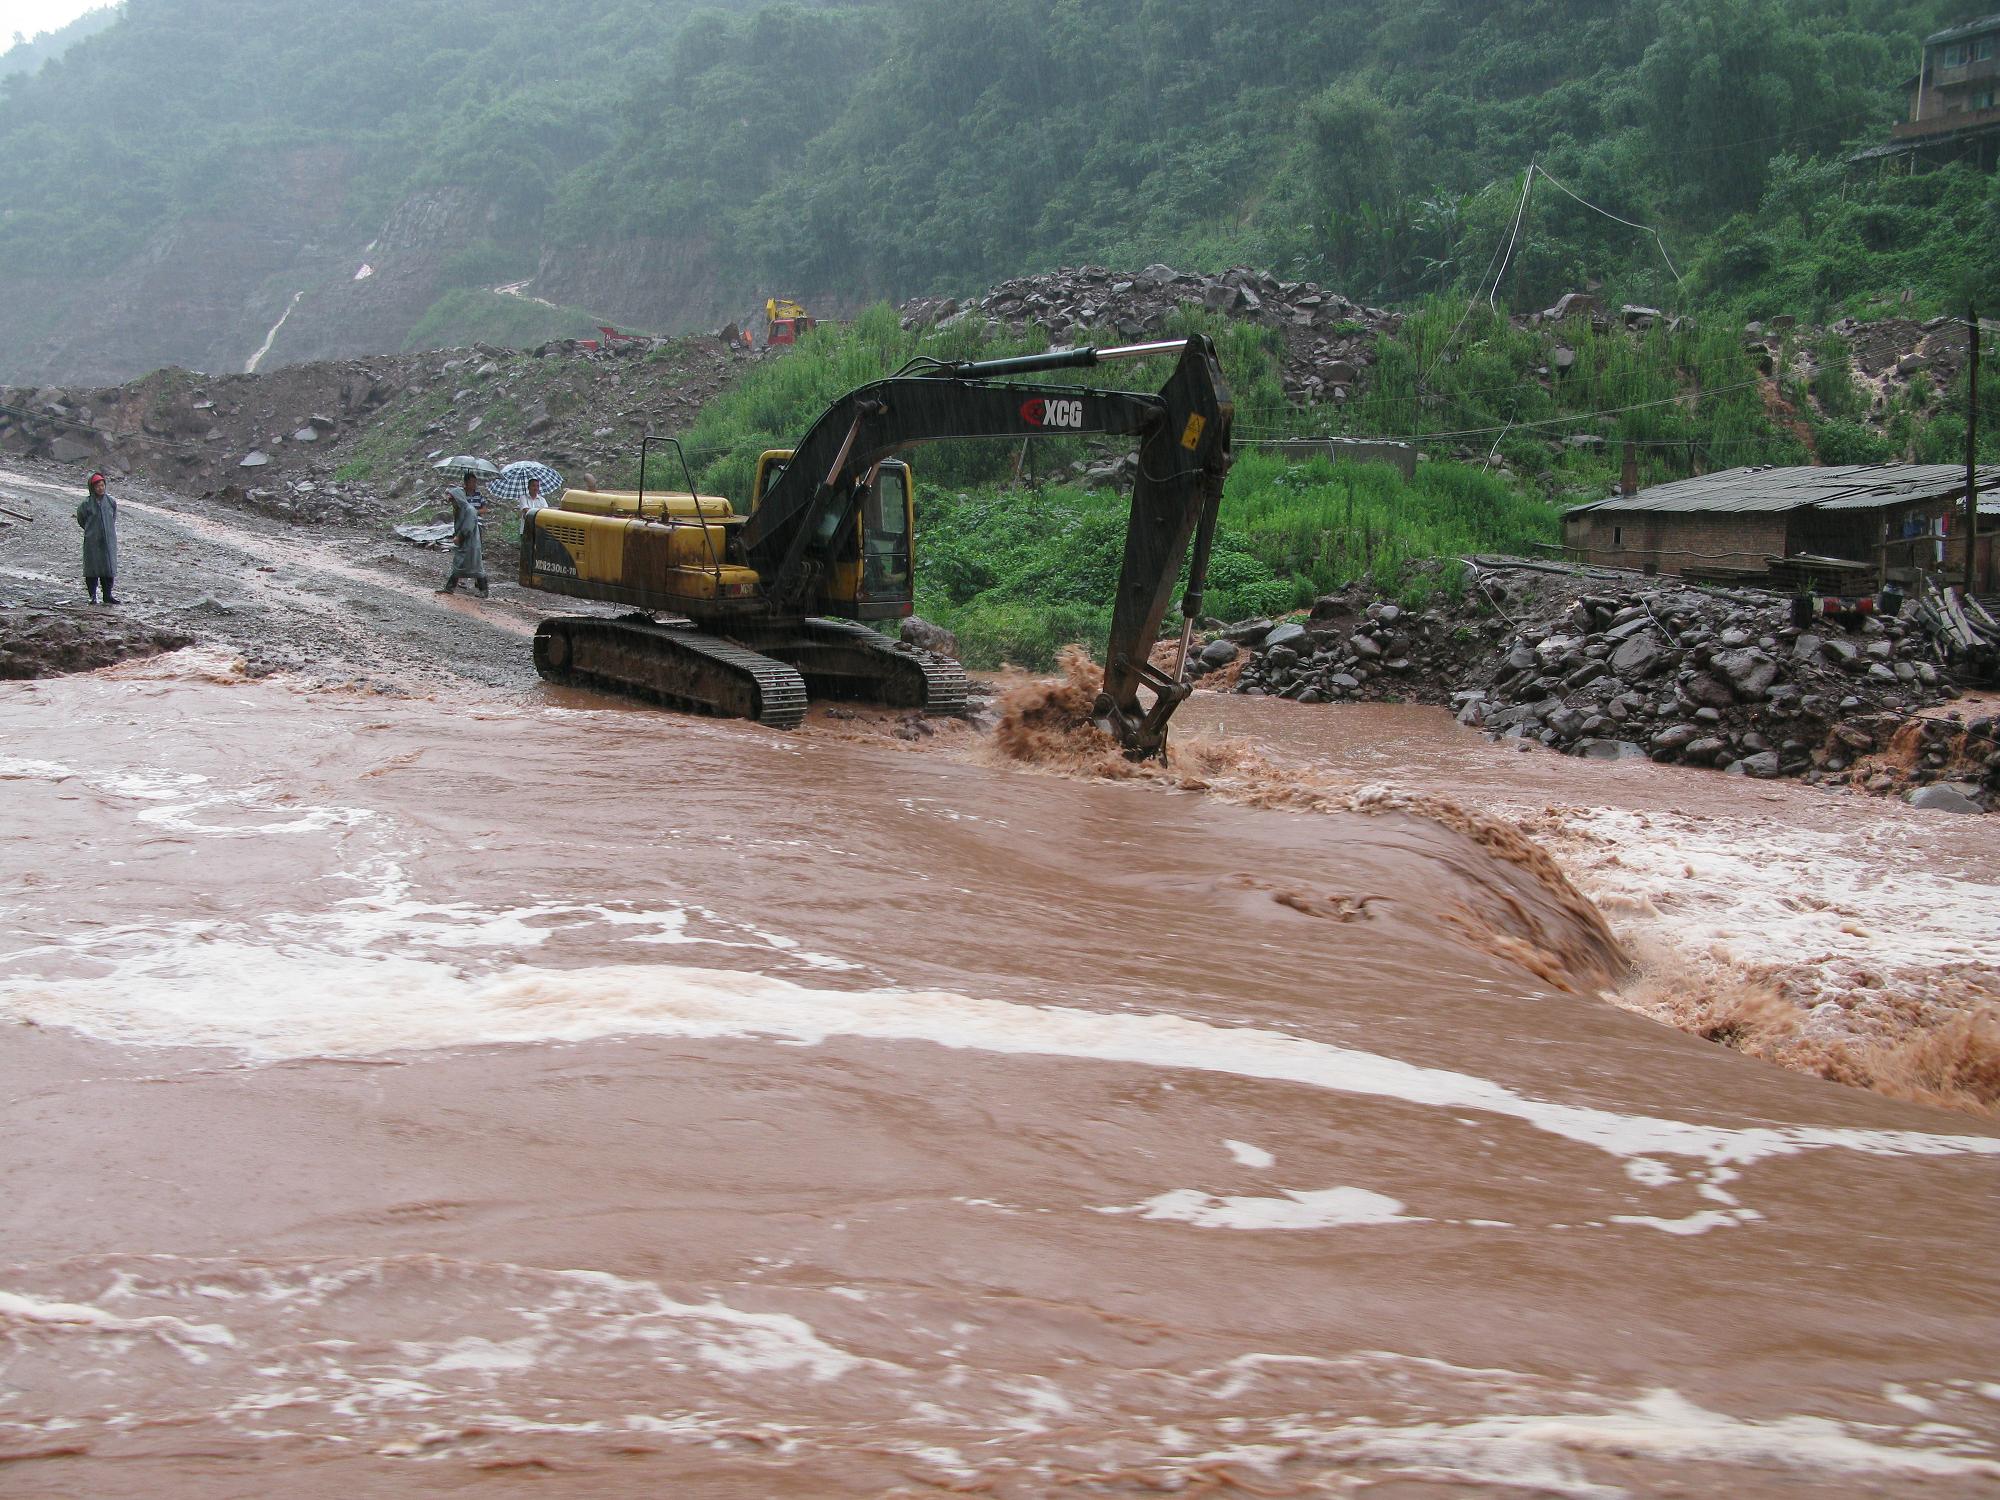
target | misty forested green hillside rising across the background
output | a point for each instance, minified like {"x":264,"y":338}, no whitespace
{"x":899,"y":147}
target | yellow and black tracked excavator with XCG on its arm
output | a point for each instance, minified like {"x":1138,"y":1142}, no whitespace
{"x":773,"y":607}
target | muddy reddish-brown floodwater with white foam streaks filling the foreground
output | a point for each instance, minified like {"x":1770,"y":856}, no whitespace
{"x":501,"y":1093}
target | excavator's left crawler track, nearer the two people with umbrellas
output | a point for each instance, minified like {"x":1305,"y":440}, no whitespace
{"x":671,"y":665}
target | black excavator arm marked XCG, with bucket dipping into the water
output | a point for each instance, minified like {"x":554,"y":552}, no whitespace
{"x":1183,"y":459}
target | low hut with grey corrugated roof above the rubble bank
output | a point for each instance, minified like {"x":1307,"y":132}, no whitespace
{"x":1831,"y":529}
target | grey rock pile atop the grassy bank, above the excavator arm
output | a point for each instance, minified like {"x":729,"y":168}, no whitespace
{"x":1331,"y":343}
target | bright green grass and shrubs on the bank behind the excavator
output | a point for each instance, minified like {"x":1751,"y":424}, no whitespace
{"x":1021,"y":569}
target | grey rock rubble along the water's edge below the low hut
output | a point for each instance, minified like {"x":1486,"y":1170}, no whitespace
{"x":1619,"y":667}
